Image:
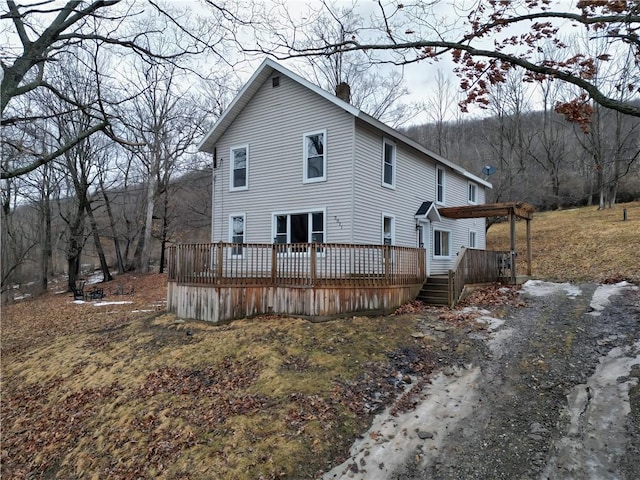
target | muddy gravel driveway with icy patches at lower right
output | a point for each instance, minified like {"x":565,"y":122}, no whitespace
{"x":551,"y":393}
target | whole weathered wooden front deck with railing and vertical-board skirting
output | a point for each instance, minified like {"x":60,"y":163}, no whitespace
{"x":225,"y":281}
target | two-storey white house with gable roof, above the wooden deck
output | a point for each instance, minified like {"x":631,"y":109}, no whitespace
{"x":294,"y":163}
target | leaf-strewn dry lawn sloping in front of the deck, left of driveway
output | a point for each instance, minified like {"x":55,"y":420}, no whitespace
{"x":128,"y":395}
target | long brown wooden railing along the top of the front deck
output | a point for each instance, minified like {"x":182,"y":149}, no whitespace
{"x":296,"y":264}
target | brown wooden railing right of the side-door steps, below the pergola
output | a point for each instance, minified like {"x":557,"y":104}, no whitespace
{"x":476,"y":266}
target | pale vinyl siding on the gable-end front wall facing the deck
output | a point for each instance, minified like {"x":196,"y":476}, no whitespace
{"x":273,"y":123}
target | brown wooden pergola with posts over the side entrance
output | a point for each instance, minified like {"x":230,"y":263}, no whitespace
{"x":512,"y":210}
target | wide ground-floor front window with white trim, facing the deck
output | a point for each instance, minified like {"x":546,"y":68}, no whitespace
{"x":303,"y":227}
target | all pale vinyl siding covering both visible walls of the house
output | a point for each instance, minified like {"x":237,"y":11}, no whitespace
{"x":353,"y":199}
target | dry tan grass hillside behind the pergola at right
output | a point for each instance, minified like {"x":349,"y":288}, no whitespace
{"x":579,"y":244}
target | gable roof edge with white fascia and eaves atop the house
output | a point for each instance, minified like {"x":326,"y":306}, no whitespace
{"x":267,"y":68}
